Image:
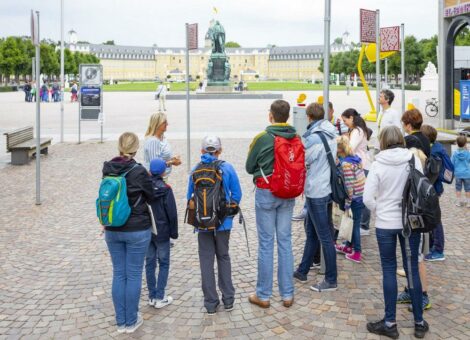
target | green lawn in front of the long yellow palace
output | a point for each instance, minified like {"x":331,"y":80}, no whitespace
{"x":252,"y":86}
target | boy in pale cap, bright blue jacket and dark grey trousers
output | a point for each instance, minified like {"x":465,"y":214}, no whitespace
{"x":216,"y":243}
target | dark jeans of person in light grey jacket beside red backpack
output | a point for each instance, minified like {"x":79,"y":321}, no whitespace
{"x":318,"y":230}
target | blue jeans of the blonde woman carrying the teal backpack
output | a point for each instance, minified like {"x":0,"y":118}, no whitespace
{"x":127,"y":251}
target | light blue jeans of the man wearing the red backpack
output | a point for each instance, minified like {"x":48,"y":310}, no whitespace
{"x":273,"y":218}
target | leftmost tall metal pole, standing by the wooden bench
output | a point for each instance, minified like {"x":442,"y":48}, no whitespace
{"x":38,"y":120}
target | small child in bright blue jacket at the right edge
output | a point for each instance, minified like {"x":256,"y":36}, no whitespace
{"x":461,"y":161}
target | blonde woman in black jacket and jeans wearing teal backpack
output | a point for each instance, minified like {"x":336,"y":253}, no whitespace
{"x":128,"y":244}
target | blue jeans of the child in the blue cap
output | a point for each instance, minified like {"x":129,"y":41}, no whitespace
{"x":157,"y":251}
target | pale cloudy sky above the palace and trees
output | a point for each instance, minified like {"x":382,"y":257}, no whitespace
{"x":251,"y":23}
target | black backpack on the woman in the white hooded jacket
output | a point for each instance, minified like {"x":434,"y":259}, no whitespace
{"x":420,"y":202}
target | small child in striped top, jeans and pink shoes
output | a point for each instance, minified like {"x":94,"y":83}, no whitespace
{"x":354,"y":178}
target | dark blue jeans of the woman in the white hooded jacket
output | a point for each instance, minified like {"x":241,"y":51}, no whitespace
{"x":387,"y":240}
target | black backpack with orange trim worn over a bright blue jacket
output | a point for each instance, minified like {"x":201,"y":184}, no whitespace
{"x":207,"y":208}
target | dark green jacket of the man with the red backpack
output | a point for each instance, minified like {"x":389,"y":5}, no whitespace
{"x":261,"y":153}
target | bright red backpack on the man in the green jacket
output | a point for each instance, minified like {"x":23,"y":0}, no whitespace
{"x":288,"y":177}
